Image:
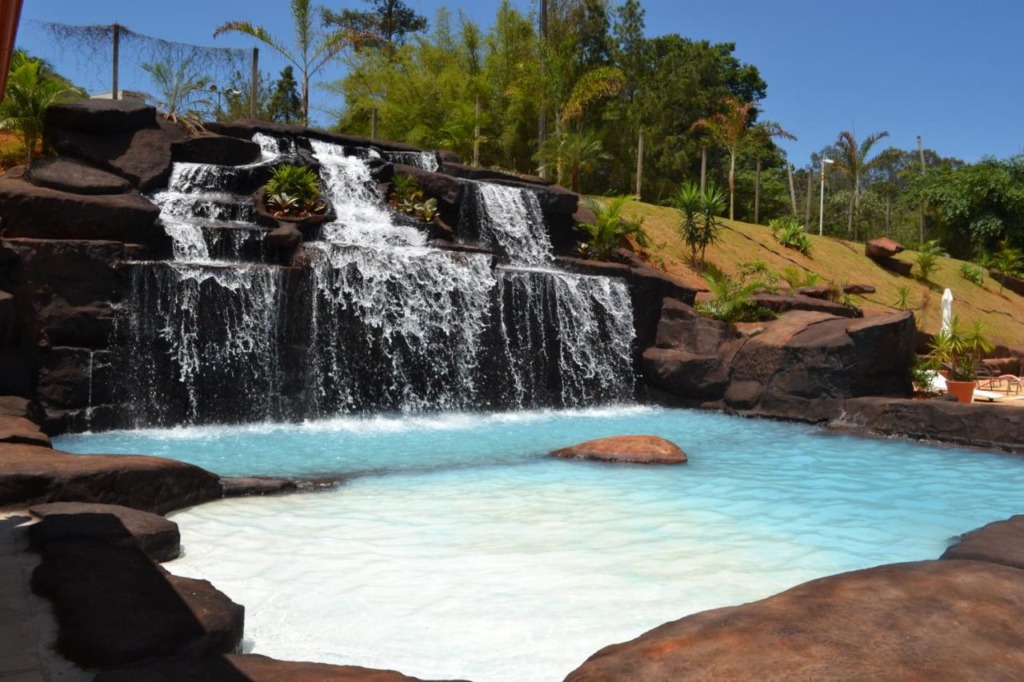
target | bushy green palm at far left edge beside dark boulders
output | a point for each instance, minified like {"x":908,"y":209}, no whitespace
{"x":32,"y":88}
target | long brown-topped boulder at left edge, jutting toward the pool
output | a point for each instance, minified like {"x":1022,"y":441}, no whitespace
{"x":33,"y":475}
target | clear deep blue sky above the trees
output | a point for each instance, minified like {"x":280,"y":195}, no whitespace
{"x":947,"y":71}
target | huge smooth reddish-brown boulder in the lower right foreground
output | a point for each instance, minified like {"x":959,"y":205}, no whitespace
{"x":927,"y":621}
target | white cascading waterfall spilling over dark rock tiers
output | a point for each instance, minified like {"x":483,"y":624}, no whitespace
{"x":376,"y":320}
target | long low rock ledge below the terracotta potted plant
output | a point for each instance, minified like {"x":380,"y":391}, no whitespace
{"x":991,"y":427}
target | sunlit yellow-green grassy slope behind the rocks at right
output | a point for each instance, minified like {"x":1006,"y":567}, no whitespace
{"x":841,"y":263}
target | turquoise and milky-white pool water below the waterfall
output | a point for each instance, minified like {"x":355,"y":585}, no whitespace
{"x":457,"y":549}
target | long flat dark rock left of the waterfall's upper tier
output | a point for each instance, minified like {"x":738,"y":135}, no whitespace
{"x":35,"y":212}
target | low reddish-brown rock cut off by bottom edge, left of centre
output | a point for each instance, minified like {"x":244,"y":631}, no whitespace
{"x":249,"y":668}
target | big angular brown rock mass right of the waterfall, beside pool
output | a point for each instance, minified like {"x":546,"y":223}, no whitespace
{"x":800,"y":367}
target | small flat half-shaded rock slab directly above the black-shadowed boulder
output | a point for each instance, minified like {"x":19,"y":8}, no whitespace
{"x":114,"y":525}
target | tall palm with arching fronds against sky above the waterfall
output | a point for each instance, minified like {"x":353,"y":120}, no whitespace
{"x":316,"y":50}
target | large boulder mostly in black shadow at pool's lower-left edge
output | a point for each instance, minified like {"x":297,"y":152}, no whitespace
{"x":115,"y":607}
